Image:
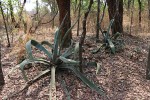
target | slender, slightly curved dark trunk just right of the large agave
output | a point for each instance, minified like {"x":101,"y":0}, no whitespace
{"x":81,"y":42}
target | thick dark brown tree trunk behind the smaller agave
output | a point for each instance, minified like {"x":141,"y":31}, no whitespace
{"x":115,"y":9}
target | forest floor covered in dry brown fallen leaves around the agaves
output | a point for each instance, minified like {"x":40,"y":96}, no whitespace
{"x":122,"y":75}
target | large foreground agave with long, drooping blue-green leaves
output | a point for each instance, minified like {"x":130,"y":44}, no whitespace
{"x":57,"y":60}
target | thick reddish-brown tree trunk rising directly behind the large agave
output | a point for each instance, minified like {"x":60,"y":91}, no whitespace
{"x":64,"y":10}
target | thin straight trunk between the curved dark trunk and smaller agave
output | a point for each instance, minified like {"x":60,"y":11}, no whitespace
{"x":98,"y":24}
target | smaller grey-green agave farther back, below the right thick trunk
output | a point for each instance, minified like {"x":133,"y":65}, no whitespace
{"x":111,"y":42}
